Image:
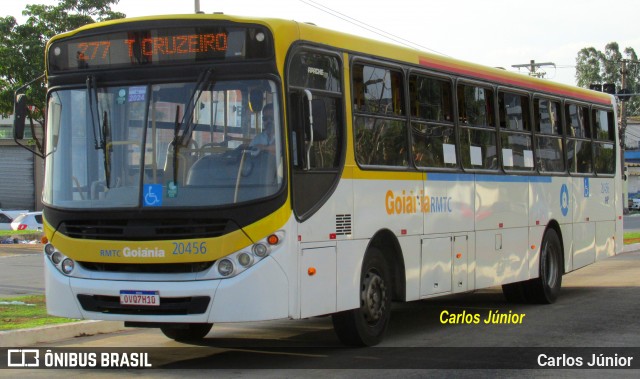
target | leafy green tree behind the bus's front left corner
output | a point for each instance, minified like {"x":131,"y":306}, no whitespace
{"x":22,"y":46}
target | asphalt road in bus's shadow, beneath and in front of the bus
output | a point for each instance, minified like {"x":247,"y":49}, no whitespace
{"x":596,"y":313}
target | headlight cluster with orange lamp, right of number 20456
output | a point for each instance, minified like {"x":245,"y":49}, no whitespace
{"x":236,"y":263}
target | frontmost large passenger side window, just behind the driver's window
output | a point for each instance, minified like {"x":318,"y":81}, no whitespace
{"x":379,"y":116}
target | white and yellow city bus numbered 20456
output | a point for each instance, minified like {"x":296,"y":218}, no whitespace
{"x":205,"y":169}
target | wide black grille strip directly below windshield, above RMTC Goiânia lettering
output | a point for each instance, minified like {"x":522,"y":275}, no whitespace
{"x":143,"y":230}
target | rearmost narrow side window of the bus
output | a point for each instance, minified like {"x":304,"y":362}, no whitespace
{"x":604,"y":128}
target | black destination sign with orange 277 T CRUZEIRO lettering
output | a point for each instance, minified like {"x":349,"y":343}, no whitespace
{"x":159,"y":47}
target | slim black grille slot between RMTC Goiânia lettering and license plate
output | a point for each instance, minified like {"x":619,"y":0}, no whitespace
{"x":151,"y":268}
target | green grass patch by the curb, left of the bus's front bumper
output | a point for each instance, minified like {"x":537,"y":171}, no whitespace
{"x":26,"y":312}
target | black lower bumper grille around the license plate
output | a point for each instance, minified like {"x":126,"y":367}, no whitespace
{"x":168,"y":305}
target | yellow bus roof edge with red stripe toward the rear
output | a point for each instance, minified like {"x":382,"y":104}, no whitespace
{"x":377,"y":49}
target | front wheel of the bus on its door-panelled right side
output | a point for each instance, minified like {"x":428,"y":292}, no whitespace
{"x":365,"y":326}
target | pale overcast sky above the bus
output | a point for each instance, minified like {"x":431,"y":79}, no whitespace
{"x":497,"y":33}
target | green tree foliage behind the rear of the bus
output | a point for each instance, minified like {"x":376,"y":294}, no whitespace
{"x":595,"y":66}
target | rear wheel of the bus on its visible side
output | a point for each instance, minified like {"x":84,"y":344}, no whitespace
{"x":546,"y":287}
